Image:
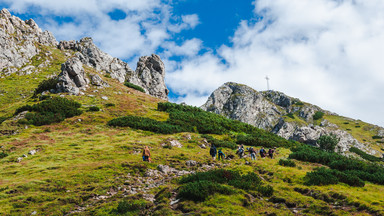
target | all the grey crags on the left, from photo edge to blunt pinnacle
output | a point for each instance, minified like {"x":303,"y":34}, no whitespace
{"x":21,"y":41}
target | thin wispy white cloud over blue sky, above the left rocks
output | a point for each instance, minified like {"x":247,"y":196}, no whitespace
{"x":147,"y":25}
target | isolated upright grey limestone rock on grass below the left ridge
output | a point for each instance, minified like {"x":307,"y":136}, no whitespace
{"x":72,"y":77}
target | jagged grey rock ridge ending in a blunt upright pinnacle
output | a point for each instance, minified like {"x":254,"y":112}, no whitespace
{"x":149,"y":74}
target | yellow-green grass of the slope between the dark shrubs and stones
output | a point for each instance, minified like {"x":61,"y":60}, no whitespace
{"x":80,"y":159}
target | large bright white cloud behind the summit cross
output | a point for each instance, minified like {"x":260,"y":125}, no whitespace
{"x":325,"y":52}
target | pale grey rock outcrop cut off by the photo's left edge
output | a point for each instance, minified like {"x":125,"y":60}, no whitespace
{"x":19,"y":42}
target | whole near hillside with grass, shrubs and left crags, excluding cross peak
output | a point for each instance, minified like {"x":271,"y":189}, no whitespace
{"x":73,"y":128}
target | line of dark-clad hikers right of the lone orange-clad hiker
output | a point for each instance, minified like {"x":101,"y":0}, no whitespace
{"x":241,"y":152}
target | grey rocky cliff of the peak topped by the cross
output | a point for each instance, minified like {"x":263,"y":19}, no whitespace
{"x":276,"y":112}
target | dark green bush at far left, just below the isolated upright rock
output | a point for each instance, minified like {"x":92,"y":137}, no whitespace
{"x":50,"y":111}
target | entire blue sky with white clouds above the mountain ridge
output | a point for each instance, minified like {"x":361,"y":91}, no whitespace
{"x":325,"y":52}
